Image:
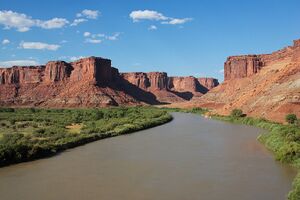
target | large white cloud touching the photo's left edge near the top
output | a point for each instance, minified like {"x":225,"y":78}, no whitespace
{"x":23,"y":23}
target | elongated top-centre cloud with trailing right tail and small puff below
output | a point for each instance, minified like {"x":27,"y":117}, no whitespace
{"x":153,"y":15}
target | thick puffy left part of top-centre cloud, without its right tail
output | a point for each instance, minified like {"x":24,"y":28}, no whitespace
{"x":146,"y":15}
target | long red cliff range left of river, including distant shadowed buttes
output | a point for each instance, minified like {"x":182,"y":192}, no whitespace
{"x":93,"y":82}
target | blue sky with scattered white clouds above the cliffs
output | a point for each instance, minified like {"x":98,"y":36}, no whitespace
{"x":179,"y":37}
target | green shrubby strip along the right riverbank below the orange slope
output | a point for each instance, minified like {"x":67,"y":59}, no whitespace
{"x":282,"y":140}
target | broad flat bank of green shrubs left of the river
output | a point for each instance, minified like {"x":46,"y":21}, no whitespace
{"x":27,"y":134}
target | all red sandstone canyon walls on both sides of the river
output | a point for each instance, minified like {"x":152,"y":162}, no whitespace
{"x":265,"y":85}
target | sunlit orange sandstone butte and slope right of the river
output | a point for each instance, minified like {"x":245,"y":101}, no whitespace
{"x":266,"y":86}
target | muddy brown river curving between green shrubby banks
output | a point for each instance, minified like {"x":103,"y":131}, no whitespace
{"x":188,"y":158}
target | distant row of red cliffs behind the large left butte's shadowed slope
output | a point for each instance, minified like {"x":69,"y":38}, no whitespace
{"x":170,"y":89}
